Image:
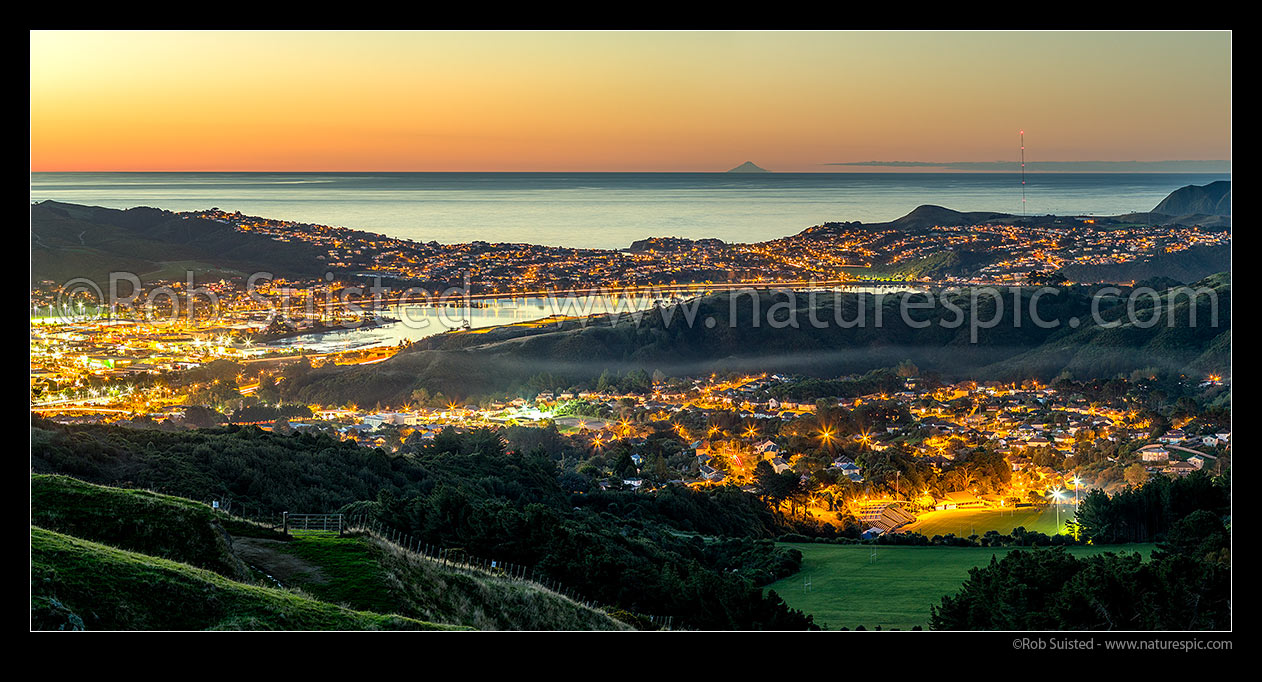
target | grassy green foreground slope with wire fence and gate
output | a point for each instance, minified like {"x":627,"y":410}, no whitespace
{"x":117,"y":559}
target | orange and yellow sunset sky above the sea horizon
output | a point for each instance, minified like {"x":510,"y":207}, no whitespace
{"x":595,"y":102}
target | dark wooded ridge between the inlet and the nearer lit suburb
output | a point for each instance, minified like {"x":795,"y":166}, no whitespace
{"x":774,"y":333}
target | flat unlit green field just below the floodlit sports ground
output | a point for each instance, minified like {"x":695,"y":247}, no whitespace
{"x":895,"y":589}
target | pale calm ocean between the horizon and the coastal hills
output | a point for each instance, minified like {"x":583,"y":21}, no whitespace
{"x":608,"y":210}
